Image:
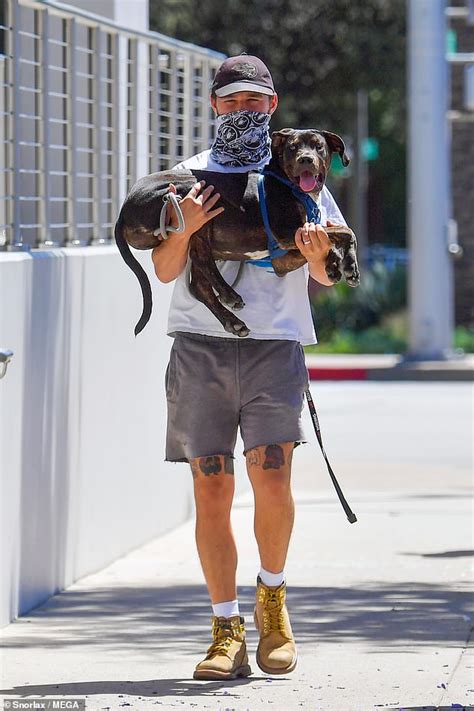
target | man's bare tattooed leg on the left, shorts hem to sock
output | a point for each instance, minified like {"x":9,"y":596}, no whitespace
{"x":213,"y":493}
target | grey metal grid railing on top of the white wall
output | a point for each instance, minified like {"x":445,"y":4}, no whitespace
{"x":87,"y":108}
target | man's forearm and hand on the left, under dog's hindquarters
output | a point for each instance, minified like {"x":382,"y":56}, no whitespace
{"x":170,"y":256}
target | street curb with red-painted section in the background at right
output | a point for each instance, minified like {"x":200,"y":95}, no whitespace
{"x":388,"y":367}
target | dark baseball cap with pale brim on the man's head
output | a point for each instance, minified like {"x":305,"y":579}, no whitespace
{"x":242,"y":73}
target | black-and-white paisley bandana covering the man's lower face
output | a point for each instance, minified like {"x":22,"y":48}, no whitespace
{"x":242,"y":138}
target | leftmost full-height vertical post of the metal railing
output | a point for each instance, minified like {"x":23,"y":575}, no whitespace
{"x":17,"y":241}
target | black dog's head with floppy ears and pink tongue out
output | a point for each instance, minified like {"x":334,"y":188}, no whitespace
{"x":305,"y":155}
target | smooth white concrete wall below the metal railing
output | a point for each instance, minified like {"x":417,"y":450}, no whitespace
{"x":82,"y":421}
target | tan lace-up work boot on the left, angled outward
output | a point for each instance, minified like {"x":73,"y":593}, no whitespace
{"x":227,"y":656}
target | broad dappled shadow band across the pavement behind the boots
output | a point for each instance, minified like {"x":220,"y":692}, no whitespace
{"x":148,"y":619}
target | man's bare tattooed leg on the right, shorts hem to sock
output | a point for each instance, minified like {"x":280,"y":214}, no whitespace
{"x":269,"y":470}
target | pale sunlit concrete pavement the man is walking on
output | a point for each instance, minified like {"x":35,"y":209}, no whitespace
{"x":379,"y":608}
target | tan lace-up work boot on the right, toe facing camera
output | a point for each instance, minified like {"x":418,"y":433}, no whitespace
{"x":276,"y":653}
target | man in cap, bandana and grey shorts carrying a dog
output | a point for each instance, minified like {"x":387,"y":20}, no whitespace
{"x":216,"y":382}
